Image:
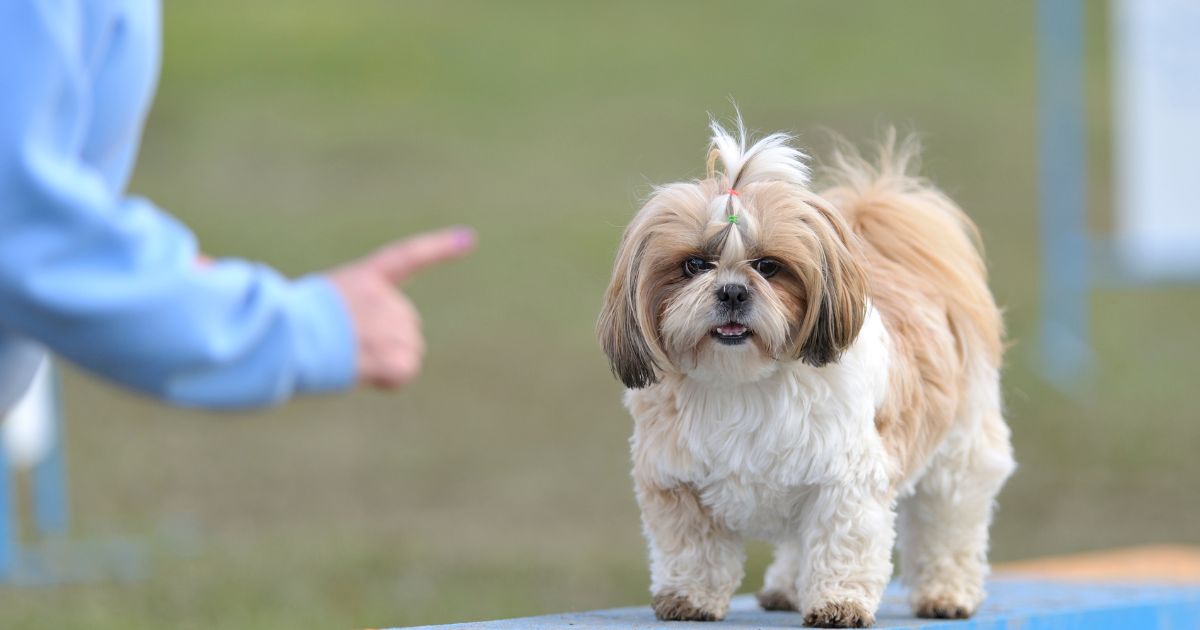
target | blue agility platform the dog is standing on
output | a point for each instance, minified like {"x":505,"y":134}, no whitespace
{"x":1012,"y":604}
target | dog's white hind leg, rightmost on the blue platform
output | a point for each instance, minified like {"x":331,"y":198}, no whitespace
{"x":944,"y":525}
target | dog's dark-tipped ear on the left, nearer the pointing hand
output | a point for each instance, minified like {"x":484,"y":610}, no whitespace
{"x":620,"y":331}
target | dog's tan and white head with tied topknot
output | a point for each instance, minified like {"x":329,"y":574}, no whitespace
{"x":730,"y":277}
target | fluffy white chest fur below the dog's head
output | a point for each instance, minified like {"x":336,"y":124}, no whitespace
{"x":755,"y":453}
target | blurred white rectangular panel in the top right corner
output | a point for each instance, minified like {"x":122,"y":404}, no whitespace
{"x":1157,"y":99}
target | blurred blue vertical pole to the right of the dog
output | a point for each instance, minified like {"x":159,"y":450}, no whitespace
{"x":1063,"y":178}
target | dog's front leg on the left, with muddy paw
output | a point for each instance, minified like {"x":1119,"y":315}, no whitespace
{"x":697,"y":563}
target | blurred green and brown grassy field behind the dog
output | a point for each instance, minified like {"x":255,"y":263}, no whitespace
{"x":304,"y":134}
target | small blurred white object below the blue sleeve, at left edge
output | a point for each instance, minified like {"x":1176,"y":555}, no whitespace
{"x":29,"y":425}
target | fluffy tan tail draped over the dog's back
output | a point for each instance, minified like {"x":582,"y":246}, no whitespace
{"x":911,"y":227}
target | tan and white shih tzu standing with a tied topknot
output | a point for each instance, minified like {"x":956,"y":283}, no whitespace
{"x":817,"y":369}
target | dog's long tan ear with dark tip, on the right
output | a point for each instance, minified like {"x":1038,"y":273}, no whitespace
{"x":837,"y":305}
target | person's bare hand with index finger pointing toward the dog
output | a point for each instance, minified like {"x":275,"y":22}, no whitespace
{"x":387,"y":326}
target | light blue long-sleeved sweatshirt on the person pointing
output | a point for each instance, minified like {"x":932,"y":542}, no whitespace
{"x":110,"y":281}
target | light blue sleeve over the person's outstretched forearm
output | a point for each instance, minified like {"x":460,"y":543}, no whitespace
{"x":230,"y":334}
